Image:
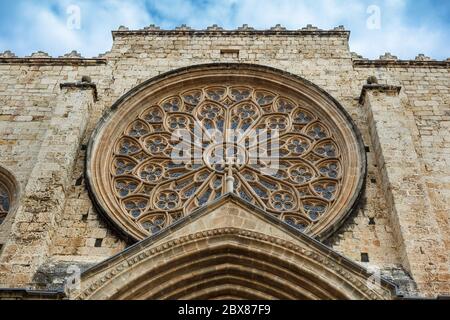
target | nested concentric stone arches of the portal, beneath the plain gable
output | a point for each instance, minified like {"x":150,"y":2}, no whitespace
{"x":231,"y":264}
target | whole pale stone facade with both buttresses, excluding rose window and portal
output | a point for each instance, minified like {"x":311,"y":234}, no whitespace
{"x":47,"y":115}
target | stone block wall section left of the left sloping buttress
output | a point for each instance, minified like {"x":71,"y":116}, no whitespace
{"x":28,"y":89}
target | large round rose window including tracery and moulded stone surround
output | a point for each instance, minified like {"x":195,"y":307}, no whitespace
{"x":292,"y":153}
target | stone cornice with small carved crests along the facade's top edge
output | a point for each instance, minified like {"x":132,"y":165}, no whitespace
{"x":335,"y":39}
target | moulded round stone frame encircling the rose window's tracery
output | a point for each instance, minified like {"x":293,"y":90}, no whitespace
{"x":106,"y":133}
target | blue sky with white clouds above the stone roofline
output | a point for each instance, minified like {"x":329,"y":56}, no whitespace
{"x":406,"y":27}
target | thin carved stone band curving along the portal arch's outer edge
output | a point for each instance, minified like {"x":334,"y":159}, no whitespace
{"x":336,"y":266}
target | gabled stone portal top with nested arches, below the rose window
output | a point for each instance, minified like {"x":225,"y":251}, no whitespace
{"x":231,"y":256}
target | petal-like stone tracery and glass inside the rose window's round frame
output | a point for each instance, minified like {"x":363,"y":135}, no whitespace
{"x":153,"y":191}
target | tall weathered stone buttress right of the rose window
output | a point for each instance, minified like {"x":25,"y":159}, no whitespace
{"x":392,"y":128}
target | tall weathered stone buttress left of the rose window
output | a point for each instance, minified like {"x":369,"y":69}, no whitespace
{"x":45,"y":192}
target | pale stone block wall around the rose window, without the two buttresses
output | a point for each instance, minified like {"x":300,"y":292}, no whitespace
{"x":30,"y":86}
